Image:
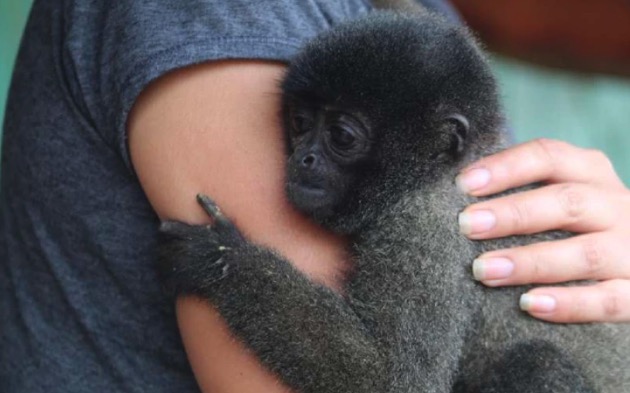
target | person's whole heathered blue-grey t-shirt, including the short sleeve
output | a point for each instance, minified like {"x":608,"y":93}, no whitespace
{"x":81,"y":308}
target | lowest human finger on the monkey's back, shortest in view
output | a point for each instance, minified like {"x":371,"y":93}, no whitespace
{"x":607,"y":301}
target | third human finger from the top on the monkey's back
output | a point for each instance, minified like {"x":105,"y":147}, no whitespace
{"x":598,"y":256}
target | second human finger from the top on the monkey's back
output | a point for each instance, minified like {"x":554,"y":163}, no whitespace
{"x":572,"y":207}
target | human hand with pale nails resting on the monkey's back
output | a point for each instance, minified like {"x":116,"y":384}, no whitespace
{"x":582,"y":194}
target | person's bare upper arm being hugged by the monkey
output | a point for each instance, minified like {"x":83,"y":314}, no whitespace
{"x":213,"y":128}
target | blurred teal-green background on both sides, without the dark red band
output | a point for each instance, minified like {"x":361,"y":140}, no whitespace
{"x":587,"y":110}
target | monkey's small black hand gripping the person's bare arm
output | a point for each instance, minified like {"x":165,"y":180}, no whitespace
{"x":191,"y":257}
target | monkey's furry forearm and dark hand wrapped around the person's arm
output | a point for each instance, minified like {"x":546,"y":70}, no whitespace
{"x":301,"y":330}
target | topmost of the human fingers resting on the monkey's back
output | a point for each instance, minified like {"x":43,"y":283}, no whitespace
{"x":541,"y":160}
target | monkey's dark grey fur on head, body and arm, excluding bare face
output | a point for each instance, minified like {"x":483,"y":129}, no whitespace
{"x":412,"y":318}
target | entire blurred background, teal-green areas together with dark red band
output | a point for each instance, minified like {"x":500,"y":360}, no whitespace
{"x":563,"y":65}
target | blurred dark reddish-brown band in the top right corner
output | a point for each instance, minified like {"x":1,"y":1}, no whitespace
{"x":575,"y":34}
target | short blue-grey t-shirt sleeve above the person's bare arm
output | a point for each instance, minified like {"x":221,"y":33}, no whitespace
{"x":111,"y":50}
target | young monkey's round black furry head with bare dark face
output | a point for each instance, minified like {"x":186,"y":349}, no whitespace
{"x":380,"y":106}
